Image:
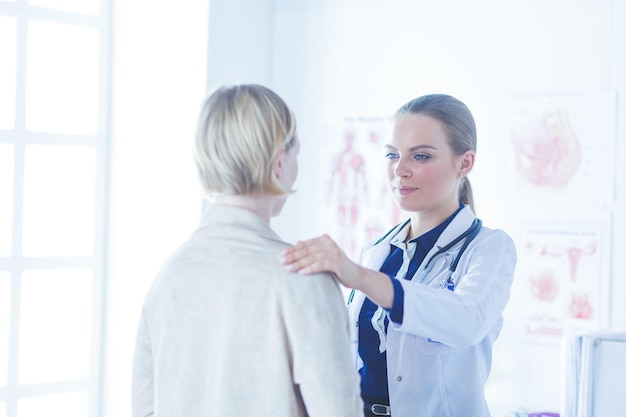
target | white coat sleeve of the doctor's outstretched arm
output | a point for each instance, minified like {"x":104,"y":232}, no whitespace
{"x":463,"y":317}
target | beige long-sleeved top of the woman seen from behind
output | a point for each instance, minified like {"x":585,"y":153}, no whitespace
{"x":227,"y":331}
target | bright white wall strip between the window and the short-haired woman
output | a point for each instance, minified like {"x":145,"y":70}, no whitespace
{"x":159,"y":77}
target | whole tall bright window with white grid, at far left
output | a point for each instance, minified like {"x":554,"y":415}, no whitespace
{"x":54,"y":85}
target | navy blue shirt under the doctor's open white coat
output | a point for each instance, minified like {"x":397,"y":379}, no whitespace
{"x":373,"y":322}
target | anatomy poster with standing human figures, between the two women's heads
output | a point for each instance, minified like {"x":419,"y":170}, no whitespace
{"x":356,"y":205}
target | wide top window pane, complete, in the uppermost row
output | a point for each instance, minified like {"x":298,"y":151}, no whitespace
{"x":61,"y":79}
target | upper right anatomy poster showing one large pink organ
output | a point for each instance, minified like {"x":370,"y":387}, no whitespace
{"x":563,"y":147}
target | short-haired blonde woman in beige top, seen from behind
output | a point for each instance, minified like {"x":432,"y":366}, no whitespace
{"x":225,"y":330}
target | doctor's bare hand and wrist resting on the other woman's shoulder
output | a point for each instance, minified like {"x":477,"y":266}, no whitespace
{"x":323,"y":254}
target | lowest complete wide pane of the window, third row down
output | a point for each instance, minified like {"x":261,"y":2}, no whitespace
{"x":55,"y":325}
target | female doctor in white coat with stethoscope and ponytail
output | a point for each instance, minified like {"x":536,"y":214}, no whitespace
{"x":428,"y":296}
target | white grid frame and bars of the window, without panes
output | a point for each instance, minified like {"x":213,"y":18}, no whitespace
{"x":19,"y":137}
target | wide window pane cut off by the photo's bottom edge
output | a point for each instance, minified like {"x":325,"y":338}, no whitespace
{"x":74,"y":404}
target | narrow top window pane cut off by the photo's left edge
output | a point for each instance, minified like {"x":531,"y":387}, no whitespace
{"x":8,"y":71}
